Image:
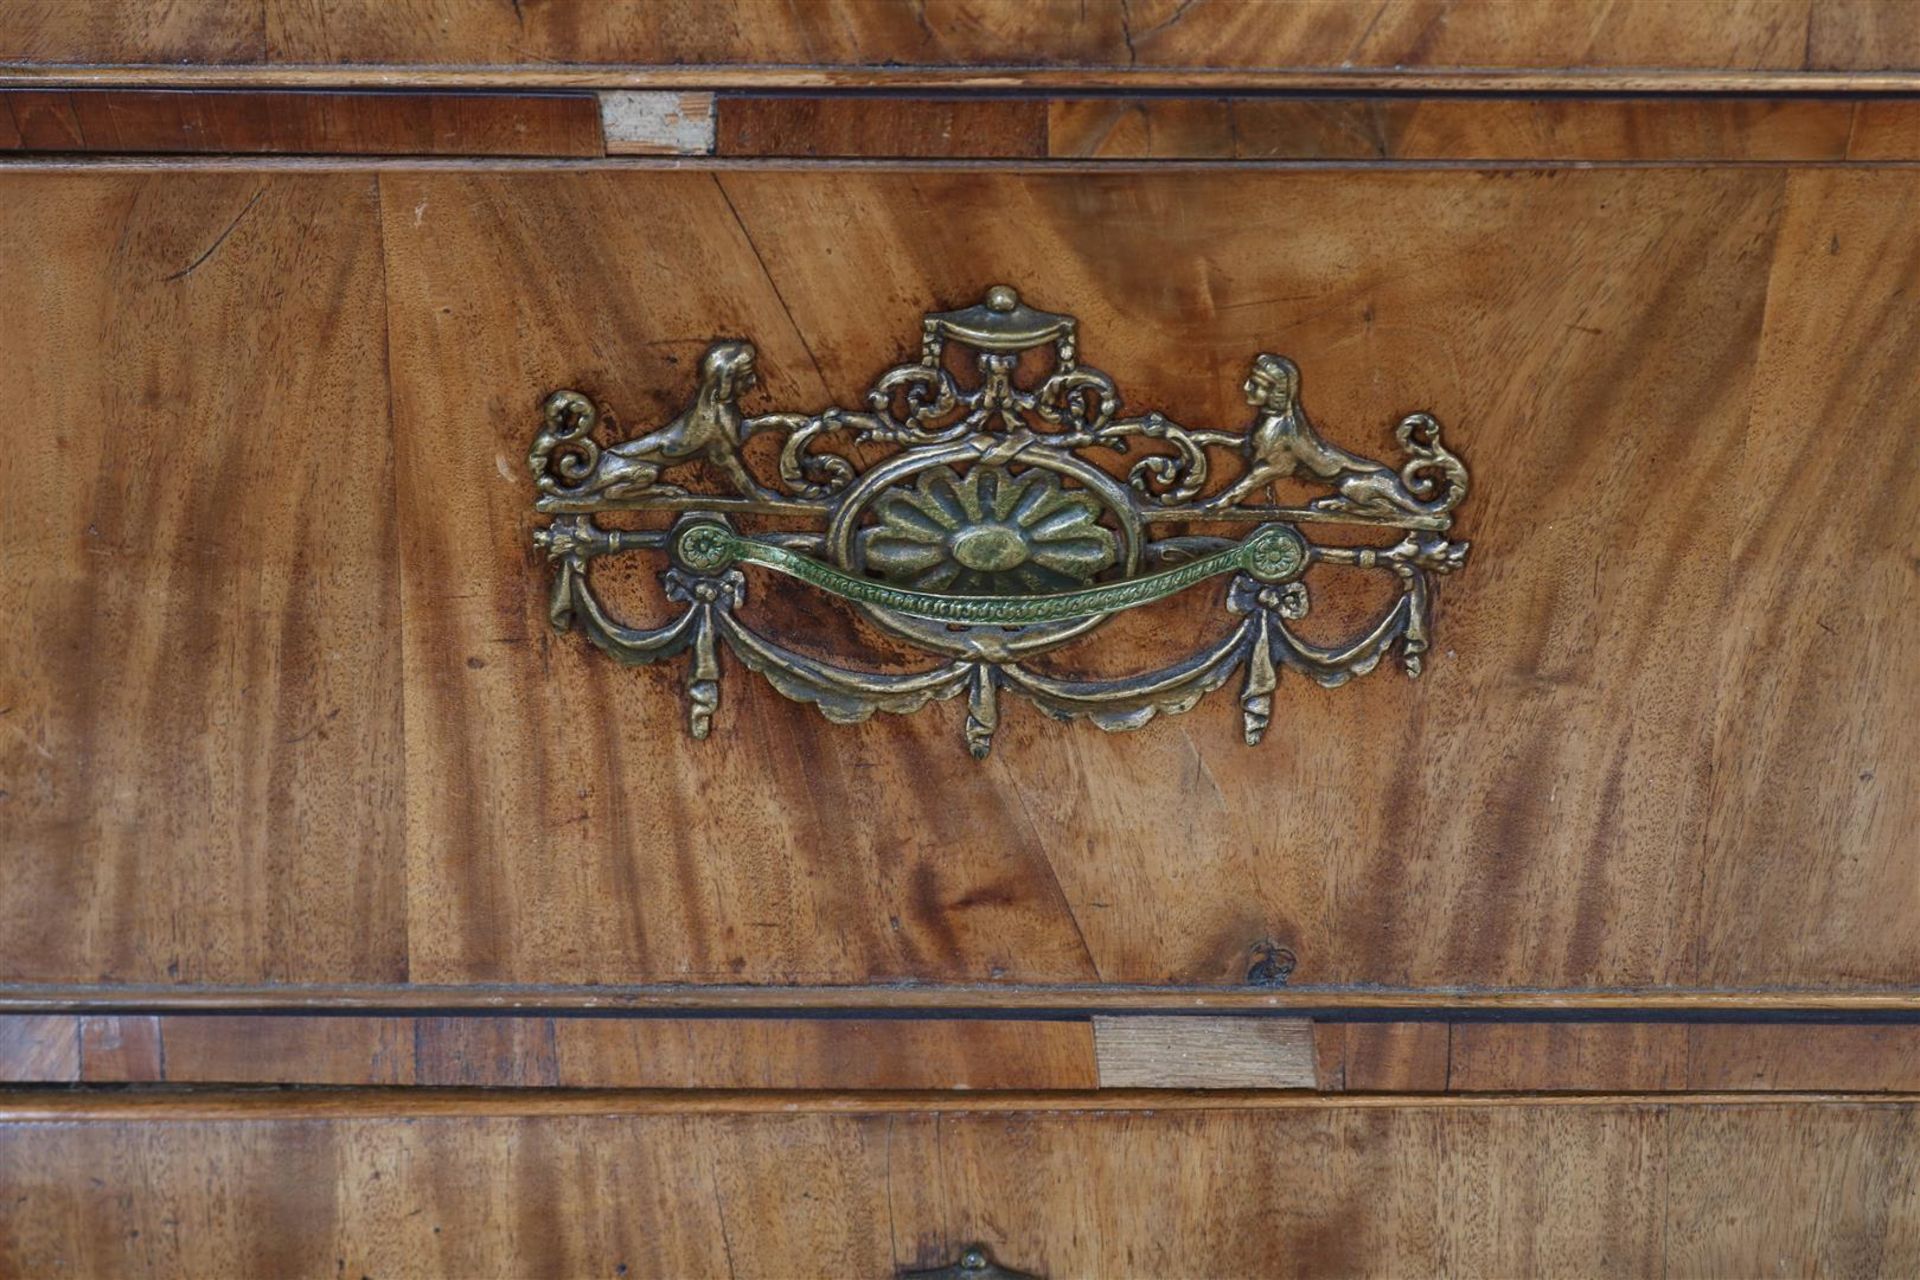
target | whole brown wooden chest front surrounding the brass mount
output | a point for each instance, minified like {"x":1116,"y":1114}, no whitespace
{"x":358,"y":922}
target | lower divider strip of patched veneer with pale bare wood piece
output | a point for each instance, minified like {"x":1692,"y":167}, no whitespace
{"x":1113,"y":1051}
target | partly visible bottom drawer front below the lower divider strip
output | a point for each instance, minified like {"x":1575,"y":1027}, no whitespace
{"x":1524,"y":1189}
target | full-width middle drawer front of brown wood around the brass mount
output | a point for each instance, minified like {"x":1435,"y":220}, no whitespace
{"x":285,"y":703}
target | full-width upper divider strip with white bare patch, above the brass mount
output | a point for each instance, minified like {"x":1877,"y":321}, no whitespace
{"x":961,"y":126}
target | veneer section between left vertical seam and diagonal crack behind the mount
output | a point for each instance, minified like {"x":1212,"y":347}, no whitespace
{"x":598,"y":765}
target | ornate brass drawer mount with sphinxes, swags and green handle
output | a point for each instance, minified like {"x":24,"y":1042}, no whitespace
{"x":988,"y":534}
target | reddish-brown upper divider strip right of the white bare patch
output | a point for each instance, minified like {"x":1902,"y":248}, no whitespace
{"x":1316,"y":128}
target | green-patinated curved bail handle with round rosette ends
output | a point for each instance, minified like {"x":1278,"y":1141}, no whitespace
{"x":1272,"y":554}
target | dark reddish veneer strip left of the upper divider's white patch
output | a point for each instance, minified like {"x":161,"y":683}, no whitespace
{"x":300,"y":124}
